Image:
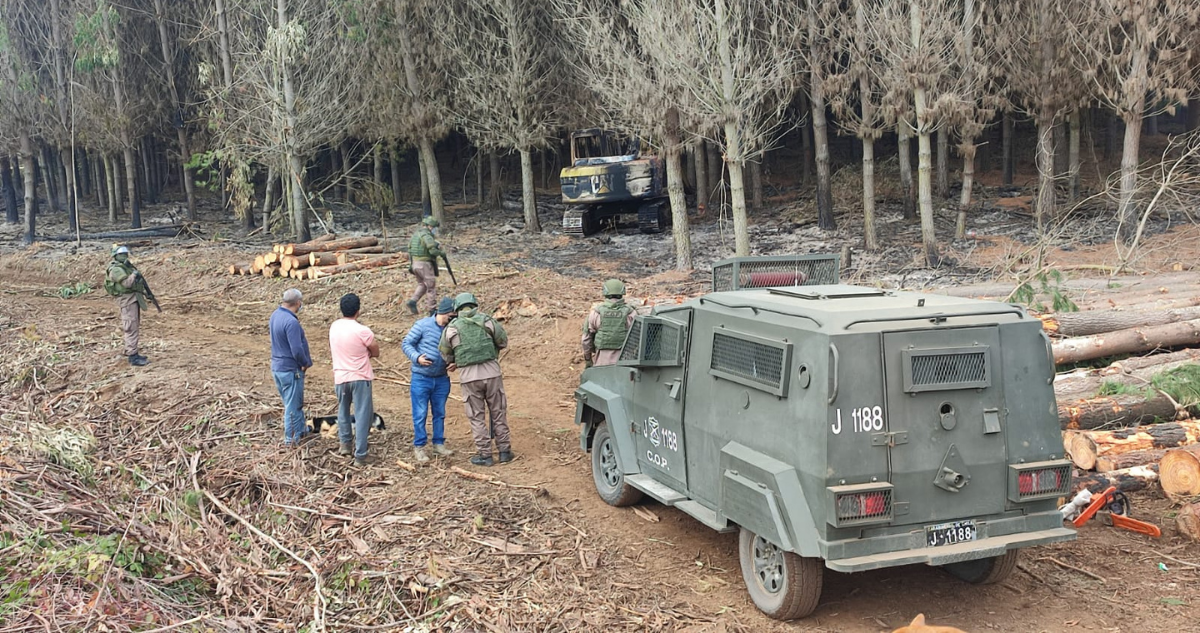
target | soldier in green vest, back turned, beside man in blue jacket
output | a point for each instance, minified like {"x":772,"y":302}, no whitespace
{"x":472,"y":343}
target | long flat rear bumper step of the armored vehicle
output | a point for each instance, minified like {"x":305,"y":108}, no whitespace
{"x":983,"y":548}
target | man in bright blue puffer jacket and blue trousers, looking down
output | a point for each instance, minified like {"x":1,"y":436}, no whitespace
{"x":431,"y":385}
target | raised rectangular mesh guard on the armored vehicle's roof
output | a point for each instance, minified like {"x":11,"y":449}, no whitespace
{"x":739,"y":274}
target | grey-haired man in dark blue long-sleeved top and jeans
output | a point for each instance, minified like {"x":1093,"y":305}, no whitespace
{"x":290,"y":361}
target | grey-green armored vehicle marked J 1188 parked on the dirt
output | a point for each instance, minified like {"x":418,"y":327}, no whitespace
{"x":835,"y":426}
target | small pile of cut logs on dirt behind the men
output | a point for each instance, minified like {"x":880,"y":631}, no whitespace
{"x":320,"y":258}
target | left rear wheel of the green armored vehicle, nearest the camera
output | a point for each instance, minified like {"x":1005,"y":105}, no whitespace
{"x":782,"y":584}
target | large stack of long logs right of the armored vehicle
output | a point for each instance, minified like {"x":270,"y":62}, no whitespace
{"x":1133,"y":437}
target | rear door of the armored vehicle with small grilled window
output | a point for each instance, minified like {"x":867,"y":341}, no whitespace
{"x":946,"y":423}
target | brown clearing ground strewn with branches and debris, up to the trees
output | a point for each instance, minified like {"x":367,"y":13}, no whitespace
{"x":128,"y":495}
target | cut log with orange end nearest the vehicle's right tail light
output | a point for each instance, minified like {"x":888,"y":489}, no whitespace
{"x":1087,"y":448}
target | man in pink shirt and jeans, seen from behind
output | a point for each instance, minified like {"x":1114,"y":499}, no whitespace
{"x":352,"y":347}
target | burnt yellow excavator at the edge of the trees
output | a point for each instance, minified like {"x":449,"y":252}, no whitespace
{"x":610,"y":177}
